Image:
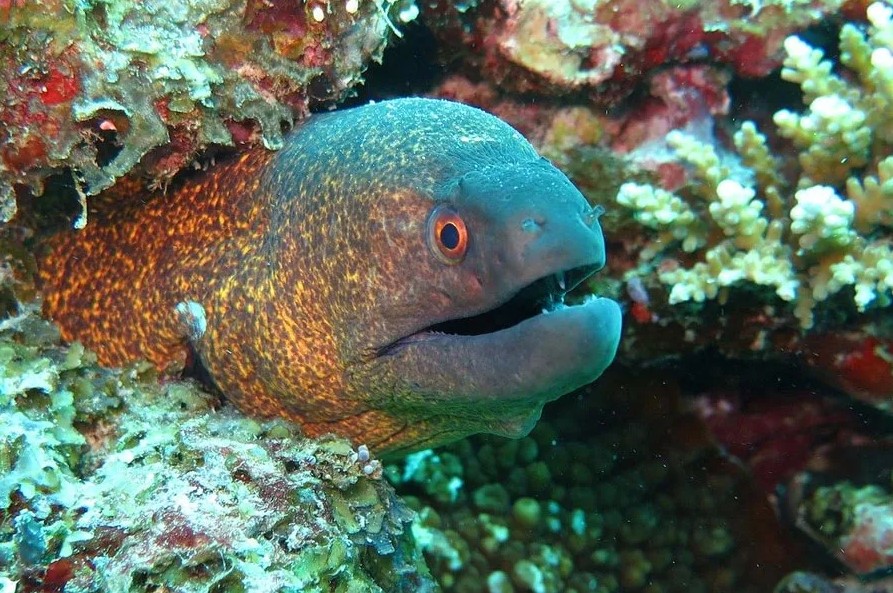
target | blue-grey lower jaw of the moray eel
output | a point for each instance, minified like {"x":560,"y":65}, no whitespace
{"x":497,"y":357}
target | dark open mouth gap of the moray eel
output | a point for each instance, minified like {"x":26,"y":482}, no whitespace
{"x":541,"y":296}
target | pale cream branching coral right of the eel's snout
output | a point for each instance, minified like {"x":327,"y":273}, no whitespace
{"x":832,"y":230}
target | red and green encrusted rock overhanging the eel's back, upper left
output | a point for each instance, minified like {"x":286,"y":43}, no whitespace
{"x":103,"y":88}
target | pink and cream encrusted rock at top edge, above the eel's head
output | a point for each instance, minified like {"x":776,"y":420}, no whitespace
{"x":603,"y":49}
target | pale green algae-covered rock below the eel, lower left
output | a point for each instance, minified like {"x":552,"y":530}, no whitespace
{"x":110,"y":481}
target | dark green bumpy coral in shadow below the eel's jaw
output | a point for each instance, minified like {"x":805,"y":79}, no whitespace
{"x":625,"y":506}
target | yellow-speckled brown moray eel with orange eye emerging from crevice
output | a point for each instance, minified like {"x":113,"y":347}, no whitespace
{"x":394,"y":274}
